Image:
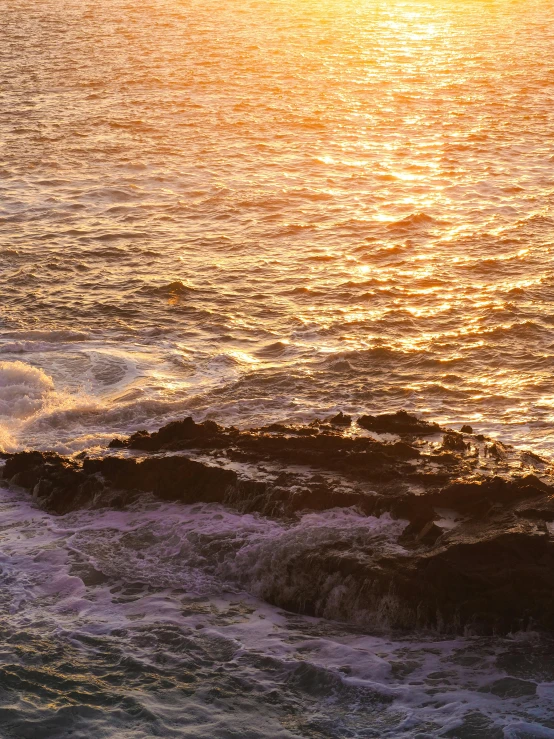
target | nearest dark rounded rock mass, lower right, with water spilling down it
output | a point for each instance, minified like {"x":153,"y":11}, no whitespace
{"x":482,"y":584}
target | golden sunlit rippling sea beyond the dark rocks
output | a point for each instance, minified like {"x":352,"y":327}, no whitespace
{"x":355,"y":197}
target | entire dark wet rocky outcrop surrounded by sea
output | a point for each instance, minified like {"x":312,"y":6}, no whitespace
{"x":476,"y":551}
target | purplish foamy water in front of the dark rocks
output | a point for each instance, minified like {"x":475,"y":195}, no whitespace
{"x":136,"y":622}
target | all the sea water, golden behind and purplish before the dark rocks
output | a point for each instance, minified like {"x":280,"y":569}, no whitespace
{"x":253,"y":211}
